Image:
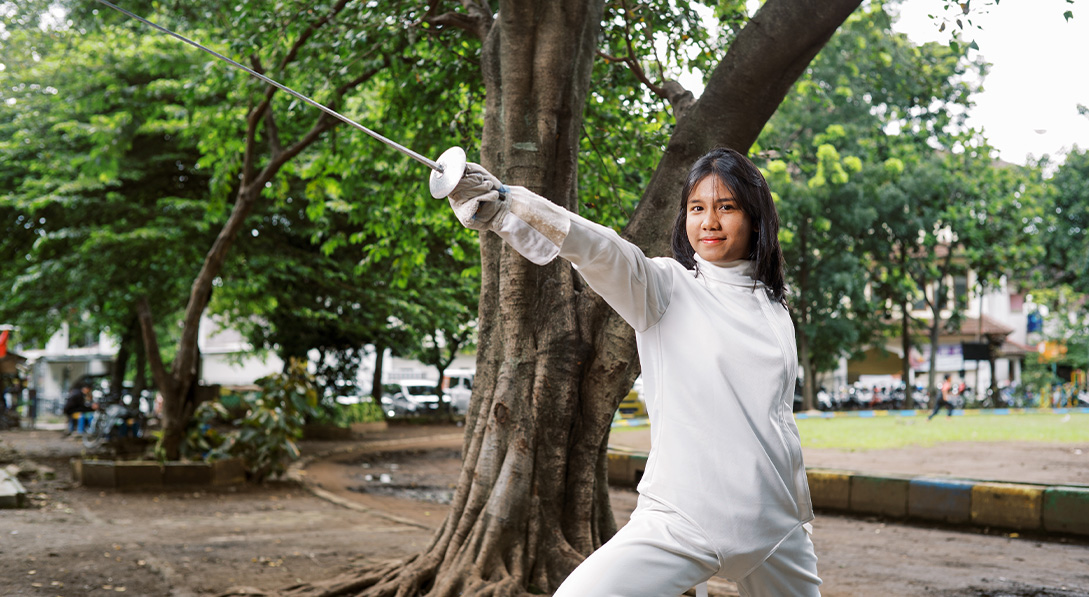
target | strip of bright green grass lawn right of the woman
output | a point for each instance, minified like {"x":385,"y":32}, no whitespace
{"x":898,"y":432}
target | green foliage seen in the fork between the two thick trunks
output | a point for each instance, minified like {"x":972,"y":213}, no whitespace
{"x":626,"y":129}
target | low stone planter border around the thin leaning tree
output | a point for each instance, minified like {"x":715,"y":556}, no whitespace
{"x":144,"y":474}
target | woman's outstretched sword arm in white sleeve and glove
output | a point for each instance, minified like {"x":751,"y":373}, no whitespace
{"x":637,"y":287}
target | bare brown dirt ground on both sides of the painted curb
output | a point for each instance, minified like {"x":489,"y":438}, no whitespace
{"x":383,"y":497}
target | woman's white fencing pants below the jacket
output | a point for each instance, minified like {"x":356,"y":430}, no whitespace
{"x":660,"y":554}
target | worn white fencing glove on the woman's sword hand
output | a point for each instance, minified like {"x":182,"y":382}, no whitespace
{"x":534,"y":226}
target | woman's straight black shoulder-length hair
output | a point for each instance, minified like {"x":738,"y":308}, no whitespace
{"x":751,"y":191}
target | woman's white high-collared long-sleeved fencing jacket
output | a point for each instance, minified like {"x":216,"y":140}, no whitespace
{"x":719,"y":368}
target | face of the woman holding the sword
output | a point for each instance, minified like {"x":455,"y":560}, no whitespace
{"x":718,"y":229}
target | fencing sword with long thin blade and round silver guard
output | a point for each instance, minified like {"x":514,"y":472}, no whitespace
{"x":446,"y":173}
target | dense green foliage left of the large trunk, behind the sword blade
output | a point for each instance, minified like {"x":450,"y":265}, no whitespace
{"x":125,"y":149}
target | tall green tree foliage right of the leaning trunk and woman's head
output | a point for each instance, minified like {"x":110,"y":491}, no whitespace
{"x":836,"y":155}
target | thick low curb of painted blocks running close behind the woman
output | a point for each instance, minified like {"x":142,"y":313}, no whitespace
{"x":1048,"y":509}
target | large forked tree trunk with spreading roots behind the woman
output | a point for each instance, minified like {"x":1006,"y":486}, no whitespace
{"x":554,"y":361}
